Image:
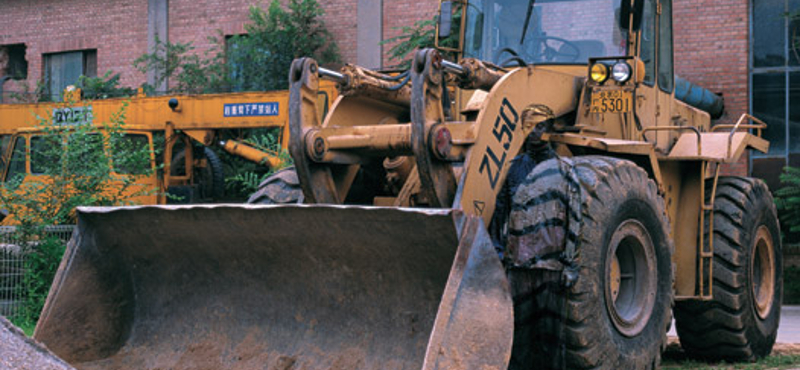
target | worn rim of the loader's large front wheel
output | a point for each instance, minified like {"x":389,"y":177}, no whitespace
{"x":630,"y":278}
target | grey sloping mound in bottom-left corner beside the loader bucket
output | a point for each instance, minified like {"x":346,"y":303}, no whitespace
{"x":20,"y":352}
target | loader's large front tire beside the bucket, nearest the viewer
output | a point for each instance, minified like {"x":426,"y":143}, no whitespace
{"x":616,"y":314}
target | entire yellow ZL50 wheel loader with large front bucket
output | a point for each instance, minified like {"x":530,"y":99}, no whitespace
{"x":553,"y":211}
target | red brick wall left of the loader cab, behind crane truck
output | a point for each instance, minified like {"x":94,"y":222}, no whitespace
{"x":118,"y":30}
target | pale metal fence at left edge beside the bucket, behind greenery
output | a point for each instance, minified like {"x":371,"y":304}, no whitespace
{"x":12,"y":267}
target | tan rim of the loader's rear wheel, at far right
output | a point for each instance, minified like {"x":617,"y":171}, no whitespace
{"x":762,"y":272}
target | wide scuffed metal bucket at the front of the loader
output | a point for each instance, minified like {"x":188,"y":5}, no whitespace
{"x":279,"y":288}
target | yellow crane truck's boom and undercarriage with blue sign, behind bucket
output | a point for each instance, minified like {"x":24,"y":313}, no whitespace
{"x":183,"y":120}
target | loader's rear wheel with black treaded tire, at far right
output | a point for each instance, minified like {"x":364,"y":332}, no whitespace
{"x":741,"y":322}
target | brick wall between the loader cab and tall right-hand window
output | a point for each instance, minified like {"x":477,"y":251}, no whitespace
{"x":711,"y":50}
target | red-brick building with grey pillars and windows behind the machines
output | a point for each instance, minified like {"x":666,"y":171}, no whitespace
{"x":738,"y":48}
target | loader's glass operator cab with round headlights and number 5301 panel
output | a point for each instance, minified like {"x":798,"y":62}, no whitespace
{"x":623,"y":47}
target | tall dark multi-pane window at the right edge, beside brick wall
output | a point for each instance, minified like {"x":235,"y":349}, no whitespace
{"x":775,"y":85}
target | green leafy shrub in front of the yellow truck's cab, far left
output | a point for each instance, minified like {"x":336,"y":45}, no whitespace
{"x":76,"y":164}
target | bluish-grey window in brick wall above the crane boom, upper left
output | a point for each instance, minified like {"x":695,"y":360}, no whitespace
{"x":64,"y":69}
